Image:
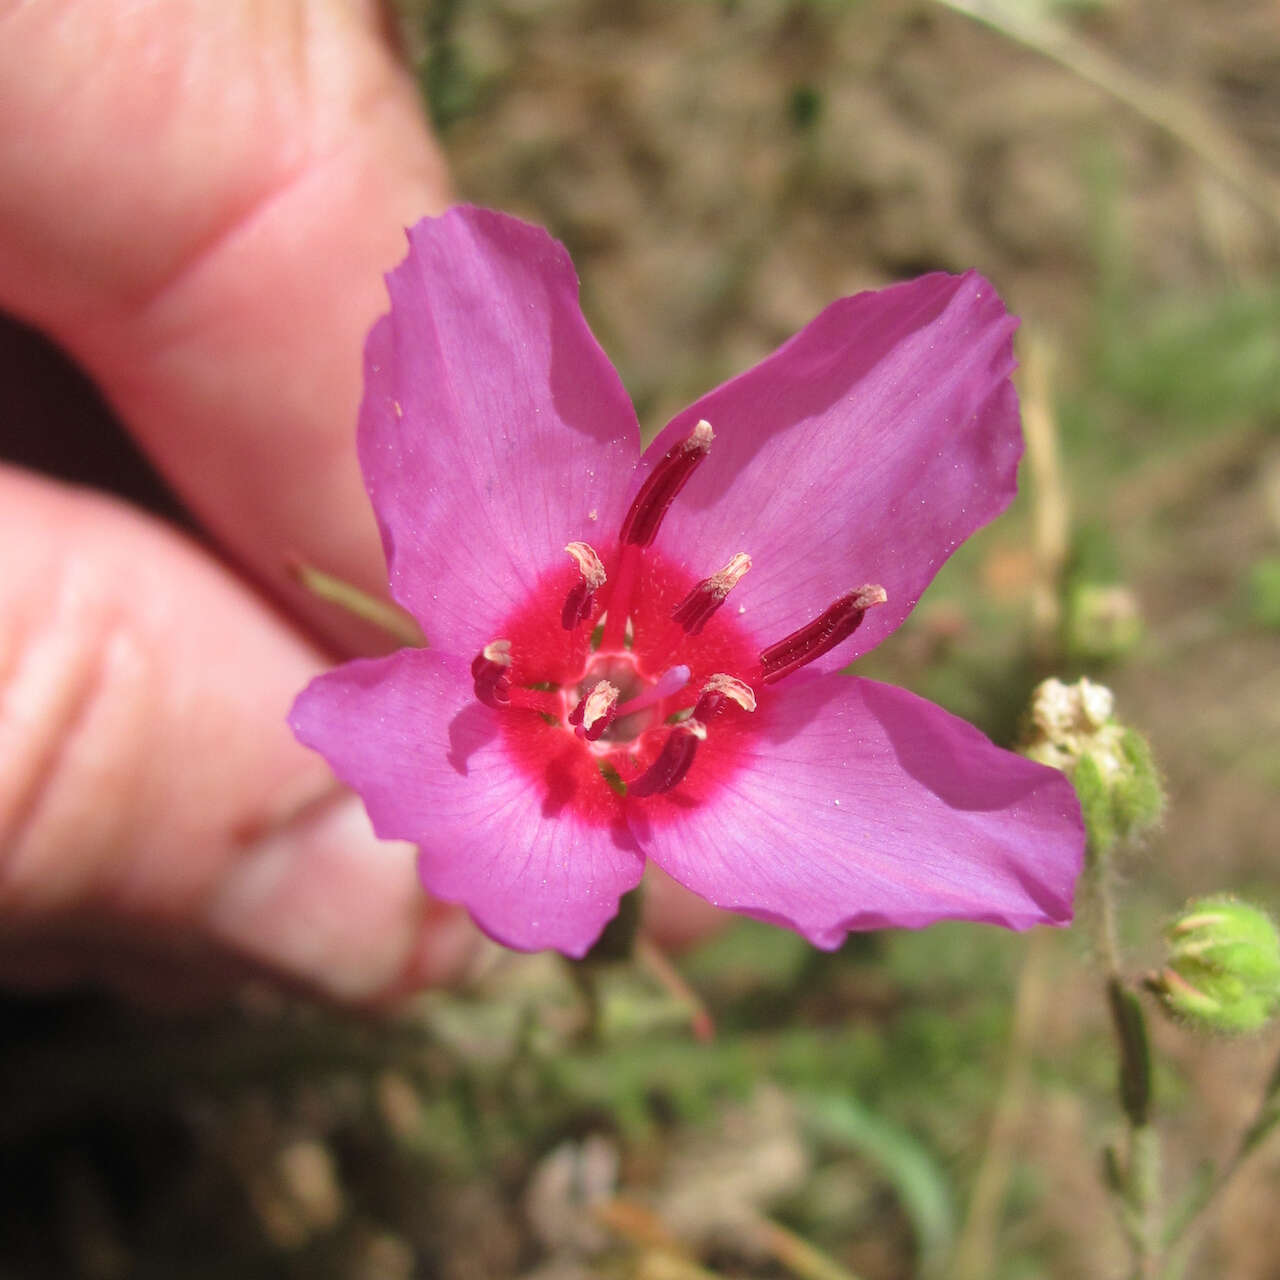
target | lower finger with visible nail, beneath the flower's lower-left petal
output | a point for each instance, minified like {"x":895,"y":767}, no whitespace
{"x":149,"y":787}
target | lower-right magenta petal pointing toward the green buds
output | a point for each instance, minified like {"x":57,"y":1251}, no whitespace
{"x":862,"y":807}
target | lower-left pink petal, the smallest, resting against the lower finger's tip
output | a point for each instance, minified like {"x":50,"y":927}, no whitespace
{"x":435,"y":767}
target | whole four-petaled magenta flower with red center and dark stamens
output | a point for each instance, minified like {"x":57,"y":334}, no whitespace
{"x":637,"y":656}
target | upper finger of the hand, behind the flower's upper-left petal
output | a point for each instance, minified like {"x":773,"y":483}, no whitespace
{"x":199,"y":200}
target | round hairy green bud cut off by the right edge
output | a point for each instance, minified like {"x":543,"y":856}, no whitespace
{"x":1223,"y":972}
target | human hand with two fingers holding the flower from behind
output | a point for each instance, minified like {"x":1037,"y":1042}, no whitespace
{"x":198,"y":202}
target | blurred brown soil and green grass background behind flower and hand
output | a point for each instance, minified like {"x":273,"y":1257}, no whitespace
{"x":916,"y":1105}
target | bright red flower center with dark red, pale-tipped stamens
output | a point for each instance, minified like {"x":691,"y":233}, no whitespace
{"x":623,"y":675}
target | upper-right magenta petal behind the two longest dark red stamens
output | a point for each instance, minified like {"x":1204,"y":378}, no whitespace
{"x":866,"y":450}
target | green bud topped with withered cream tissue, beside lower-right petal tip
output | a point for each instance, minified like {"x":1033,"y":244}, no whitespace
{"x":1073,"y":729}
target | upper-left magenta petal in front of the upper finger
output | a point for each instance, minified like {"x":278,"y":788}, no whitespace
{"x":493,"y":428}
